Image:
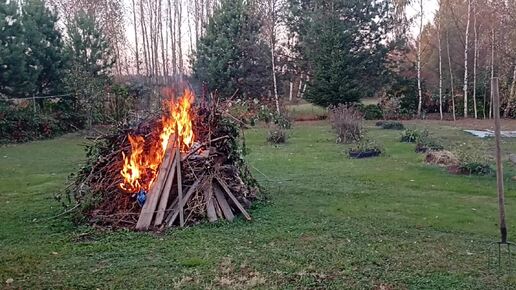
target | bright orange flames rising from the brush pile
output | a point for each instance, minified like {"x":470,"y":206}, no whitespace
{"x":141,"y":167}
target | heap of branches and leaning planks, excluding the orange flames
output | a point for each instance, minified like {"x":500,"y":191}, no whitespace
{"x":208,"y":182}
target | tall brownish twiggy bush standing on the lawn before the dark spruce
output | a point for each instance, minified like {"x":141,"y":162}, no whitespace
{"x":348,"y":123}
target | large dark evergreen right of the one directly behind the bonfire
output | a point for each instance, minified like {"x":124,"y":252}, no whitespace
{"x":343,"y":44}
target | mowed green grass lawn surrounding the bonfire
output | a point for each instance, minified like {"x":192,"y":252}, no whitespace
{"x":329,"y":222}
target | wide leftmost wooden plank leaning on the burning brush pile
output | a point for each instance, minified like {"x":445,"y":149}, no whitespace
{"x":148,"y":210}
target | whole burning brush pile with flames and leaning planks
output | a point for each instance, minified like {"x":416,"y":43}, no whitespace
{"x":179,"y":168}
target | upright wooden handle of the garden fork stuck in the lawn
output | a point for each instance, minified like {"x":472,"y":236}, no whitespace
{"x":499,"y":166}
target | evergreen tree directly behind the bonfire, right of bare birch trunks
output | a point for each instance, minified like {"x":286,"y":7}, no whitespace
{"x":231,"y":55}
